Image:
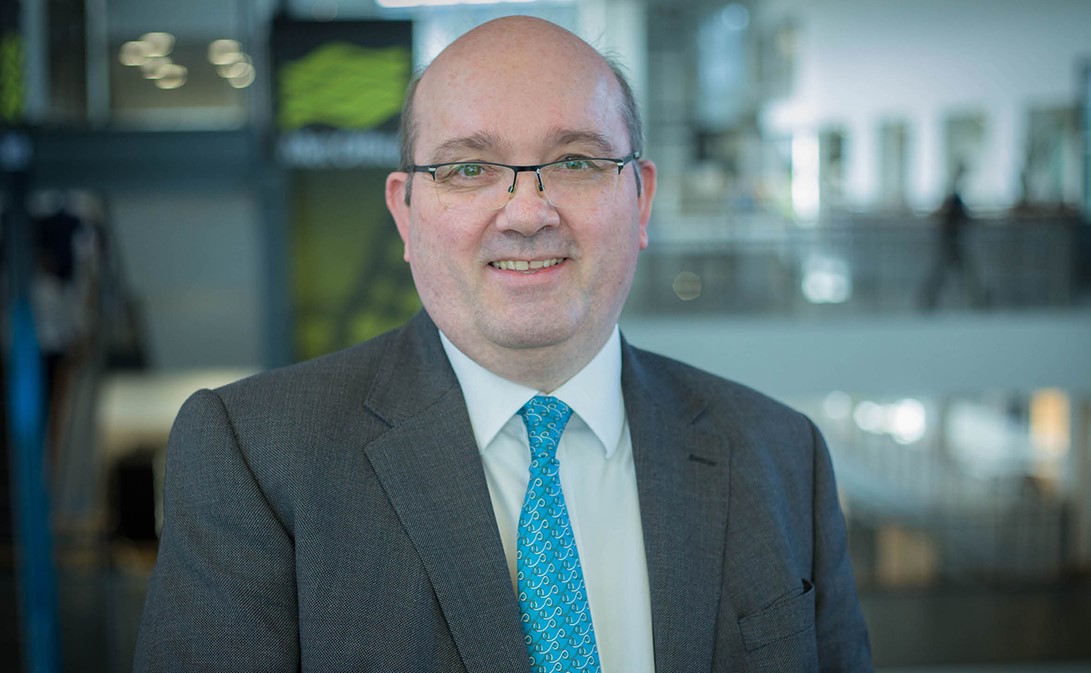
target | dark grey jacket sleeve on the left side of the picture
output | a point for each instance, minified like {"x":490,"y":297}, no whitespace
{"x":223,"y":594}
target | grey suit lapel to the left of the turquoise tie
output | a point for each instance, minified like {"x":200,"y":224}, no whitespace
{"x":430,"y":467}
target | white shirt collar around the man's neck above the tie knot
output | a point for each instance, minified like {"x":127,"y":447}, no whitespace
{"x":594,"y":394}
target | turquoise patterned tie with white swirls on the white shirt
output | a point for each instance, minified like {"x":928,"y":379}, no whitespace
{"x":556,"y":616}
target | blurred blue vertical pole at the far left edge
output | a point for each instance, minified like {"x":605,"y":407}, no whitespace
{"x":27,"y":420}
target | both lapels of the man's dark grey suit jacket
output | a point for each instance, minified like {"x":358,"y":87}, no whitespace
{"x":442,"y":500}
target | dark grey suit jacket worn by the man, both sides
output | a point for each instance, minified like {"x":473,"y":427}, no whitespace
{"x":334,"y":516}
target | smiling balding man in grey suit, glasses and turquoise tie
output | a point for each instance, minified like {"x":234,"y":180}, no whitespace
{"x":399,"y":507}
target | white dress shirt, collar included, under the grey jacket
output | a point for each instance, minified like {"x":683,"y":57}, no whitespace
{"x":600,"y":484}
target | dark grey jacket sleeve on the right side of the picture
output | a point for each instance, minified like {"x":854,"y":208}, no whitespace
{"x":841,"y":631}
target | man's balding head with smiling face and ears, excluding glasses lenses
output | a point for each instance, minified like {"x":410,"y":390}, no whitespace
{"x":523,"y":92}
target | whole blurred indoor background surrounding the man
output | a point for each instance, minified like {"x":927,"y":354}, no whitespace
{"x":877,"y":211}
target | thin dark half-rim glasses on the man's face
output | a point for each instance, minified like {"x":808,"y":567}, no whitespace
{"x":571,"y":184}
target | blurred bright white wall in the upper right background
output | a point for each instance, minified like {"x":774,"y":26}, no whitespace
{"x":865,"y":62}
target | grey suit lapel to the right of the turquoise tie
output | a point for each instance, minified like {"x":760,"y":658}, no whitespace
{"x":682,"y":479}
